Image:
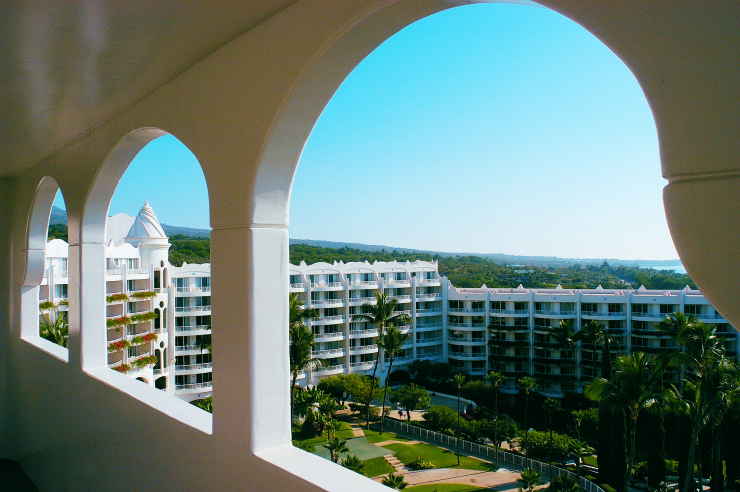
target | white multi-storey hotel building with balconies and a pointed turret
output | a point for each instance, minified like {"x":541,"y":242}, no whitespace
{"x":478,"y":330}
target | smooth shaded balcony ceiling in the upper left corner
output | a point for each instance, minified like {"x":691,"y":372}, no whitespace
{"x":67,"y":66}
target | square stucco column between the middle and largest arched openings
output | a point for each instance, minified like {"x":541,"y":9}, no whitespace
{"x":250,"y":320}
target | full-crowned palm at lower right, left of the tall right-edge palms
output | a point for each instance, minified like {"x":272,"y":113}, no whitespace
{"x":634,"y":388}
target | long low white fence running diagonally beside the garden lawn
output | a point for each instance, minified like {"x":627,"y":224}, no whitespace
{"x":487,"y":452}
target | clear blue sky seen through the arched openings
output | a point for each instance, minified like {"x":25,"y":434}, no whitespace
{"x":487,"y":128}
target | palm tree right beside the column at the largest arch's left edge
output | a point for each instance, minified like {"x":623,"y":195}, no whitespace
{"x":301,"y":343}
